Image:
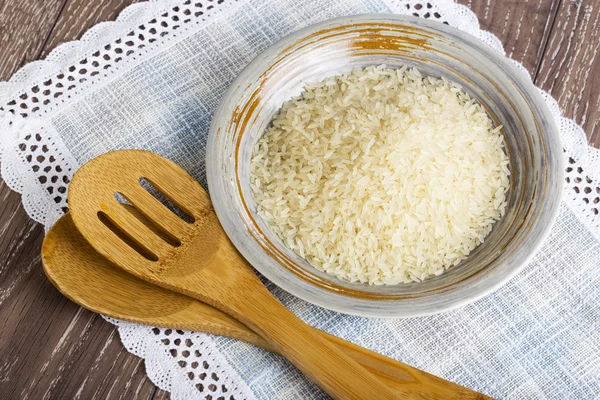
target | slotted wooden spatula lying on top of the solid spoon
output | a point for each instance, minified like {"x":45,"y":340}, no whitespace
{"x":198,"y":259}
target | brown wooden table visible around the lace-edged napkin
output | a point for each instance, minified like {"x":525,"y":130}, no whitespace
{"x":51,"y":348}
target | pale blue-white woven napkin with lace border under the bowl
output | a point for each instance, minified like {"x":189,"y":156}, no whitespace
{"x":153,"y":79}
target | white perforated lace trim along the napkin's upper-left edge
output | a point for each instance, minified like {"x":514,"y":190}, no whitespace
{"x":109,"y":48}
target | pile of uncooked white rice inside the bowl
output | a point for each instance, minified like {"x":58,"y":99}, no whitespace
{"x":381,"y":175}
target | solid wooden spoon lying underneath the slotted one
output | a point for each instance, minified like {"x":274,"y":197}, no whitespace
{"x":90,"y":280}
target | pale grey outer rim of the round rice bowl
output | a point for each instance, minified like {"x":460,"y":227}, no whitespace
{"x":471,"y":293}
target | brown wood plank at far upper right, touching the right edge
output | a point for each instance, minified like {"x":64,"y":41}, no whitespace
{"x":570,"y":68}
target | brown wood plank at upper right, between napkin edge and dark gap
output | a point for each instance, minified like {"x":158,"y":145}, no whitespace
{"x":523,"y":27}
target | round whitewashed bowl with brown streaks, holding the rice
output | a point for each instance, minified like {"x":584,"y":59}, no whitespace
{"x":343,"y":44}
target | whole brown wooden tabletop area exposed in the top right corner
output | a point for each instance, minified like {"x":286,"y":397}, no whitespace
{"x":557,"y":41}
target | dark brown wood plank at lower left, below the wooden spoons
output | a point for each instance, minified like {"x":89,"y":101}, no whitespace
{"x":50,"y":347}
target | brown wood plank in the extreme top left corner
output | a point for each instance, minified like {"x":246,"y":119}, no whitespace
{"x":24,"y":29}
